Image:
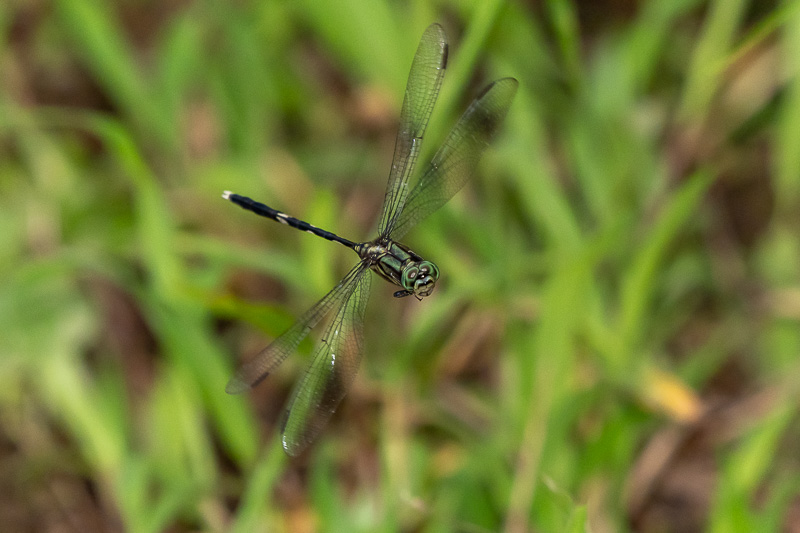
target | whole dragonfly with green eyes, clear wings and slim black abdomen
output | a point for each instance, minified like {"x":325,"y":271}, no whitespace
{"x":337,"y":355}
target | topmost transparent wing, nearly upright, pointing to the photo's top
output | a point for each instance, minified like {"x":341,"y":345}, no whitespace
{"x":424,"y":81}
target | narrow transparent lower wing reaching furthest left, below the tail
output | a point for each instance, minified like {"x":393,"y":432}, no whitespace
{"x":254,"y":371}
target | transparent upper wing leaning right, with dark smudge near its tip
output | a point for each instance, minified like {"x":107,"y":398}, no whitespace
{"x":456,"y":160}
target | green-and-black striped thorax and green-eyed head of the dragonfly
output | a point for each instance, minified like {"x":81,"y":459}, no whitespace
{"x":397,"y":264}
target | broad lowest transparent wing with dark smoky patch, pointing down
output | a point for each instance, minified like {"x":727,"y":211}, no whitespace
{"x":331,"y":371}
